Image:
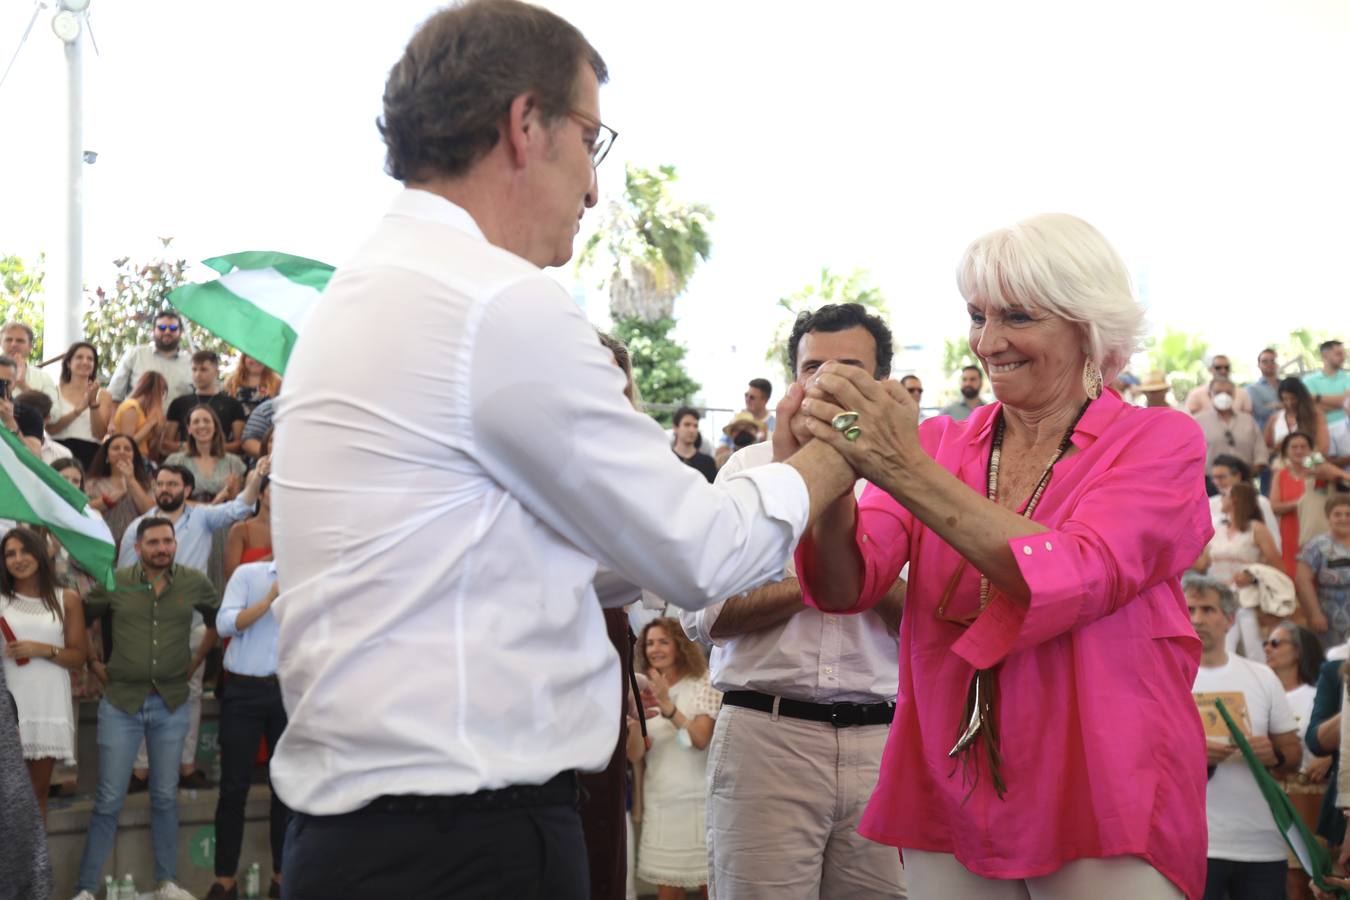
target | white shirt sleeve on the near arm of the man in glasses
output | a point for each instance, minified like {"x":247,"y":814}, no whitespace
{"x":550,"y":423}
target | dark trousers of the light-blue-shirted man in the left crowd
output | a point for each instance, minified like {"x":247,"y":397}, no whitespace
{"x":249,"y":710}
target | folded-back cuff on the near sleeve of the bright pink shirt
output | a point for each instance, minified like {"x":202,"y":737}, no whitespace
{"x":1056,"y":588}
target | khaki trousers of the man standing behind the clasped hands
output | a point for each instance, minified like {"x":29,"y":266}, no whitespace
{"x":784,"y":804}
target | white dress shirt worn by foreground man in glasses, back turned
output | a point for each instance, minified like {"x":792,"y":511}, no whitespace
{"x":438,"y":543}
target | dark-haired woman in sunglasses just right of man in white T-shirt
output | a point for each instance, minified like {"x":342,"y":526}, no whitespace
{"x":1297,"y":658}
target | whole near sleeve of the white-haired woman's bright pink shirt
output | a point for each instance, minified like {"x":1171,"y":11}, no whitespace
{"x":1137,"y":523}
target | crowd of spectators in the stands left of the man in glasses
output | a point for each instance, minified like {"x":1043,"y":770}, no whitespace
{"x":160,"y":457}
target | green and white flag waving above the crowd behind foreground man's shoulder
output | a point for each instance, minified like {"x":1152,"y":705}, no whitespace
{"x":260,"y":304}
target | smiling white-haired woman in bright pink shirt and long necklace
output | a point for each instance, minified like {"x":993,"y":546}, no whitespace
{"x":1046,"y":741}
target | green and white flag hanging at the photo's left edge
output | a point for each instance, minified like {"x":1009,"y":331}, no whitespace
{"x":32,"y":492}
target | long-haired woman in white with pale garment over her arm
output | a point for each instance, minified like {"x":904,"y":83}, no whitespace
{"x":1240,"y":540}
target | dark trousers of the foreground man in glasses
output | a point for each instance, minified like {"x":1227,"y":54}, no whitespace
{"x":462,"y":855}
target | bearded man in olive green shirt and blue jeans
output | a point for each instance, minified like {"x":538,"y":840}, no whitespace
{"x":146,"y":696}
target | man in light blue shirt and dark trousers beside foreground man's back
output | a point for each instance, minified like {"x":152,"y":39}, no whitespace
{"x":250,"y":709}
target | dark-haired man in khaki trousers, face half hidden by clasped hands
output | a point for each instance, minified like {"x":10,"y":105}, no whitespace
{"x":808,"y":701}
